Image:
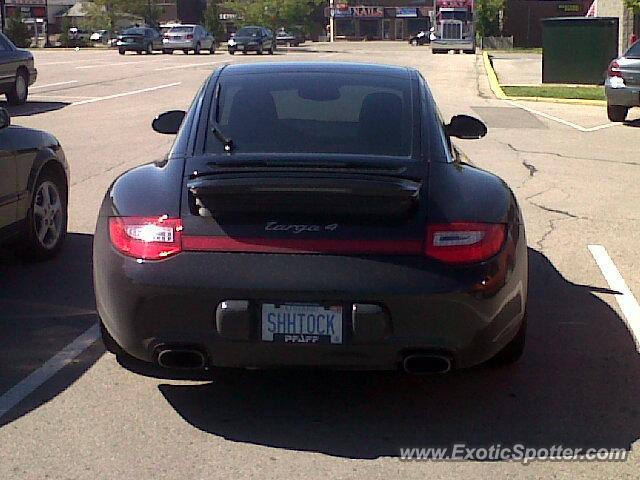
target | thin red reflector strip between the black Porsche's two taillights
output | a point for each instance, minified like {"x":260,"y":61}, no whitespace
{"x":270,"y":245}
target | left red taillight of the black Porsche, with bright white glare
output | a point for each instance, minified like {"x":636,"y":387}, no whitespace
{"x":146,"y":238}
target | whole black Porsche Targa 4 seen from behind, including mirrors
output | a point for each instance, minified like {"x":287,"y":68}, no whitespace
{"x":312,"y":215}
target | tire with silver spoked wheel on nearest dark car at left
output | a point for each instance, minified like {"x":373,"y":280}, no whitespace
{"x":46,"y":222}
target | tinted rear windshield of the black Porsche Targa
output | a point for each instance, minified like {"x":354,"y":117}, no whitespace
{"x":315,"y":113}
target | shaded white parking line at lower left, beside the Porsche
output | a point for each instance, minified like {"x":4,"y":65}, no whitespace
{"x":52,"y":366}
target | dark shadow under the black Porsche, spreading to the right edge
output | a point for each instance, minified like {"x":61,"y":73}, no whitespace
{"x":577,"y":385}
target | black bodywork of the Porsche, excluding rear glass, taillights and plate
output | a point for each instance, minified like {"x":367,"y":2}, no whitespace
{"x":465,"y":312}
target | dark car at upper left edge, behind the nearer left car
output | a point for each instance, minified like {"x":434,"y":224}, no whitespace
{"x":17,"y":72}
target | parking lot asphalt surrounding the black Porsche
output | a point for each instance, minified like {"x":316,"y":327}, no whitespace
{"x":577,"y":385}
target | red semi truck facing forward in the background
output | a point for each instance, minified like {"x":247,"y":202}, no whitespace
{"x":454,"y":26}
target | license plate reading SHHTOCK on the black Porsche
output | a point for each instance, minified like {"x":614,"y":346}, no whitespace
{"x":301,"y":323}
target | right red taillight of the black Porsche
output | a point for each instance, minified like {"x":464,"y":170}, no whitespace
{"x":460,"y":243}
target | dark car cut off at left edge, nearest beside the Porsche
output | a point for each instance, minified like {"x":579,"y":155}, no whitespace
{"x":34,"y":179}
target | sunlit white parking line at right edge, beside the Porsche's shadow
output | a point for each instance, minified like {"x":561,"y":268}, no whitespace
{"x":626,"y":300}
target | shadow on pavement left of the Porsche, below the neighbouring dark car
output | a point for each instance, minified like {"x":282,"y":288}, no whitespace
{"x":43,"y":307}
